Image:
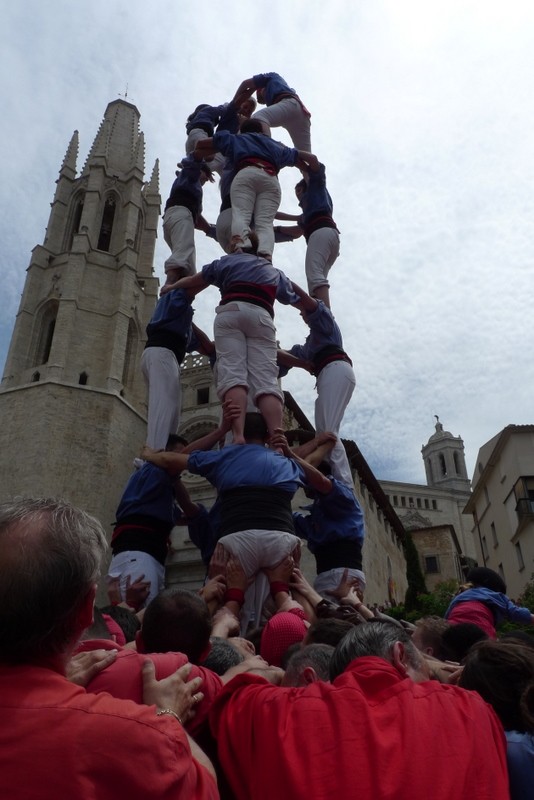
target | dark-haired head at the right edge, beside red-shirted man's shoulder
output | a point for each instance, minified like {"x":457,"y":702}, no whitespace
{"x":503,"y":674}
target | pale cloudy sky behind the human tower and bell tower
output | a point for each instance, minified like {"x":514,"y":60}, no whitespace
{"x":422,"y":112}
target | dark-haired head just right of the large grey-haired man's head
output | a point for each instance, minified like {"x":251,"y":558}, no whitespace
{"x":177,"y":621}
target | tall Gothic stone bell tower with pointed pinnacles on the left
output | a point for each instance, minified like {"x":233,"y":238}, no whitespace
{"x":72,"y":400}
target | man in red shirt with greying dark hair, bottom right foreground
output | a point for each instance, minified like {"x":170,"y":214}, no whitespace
{"x":380,"y":729}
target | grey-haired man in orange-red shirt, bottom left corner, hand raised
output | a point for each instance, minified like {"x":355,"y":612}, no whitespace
{"x":56,"y":740}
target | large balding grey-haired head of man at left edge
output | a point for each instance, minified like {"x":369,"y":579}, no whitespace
{"x":50,"y":558}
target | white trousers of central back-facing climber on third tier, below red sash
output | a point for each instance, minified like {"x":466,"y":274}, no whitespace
{"x":255,"y":192}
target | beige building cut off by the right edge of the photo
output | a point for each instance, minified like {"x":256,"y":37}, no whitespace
{"x":502,"y":506}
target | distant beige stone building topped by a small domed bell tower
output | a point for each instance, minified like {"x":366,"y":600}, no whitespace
{"x":433,"y":513}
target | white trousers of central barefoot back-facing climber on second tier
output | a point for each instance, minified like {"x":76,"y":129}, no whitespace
{"x":245,"y":340}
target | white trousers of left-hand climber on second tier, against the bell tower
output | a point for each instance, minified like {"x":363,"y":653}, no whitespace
{"x":162,"y":375}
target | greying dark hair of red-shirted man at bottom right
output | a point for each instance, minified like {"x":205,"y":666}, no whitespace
{"x":374,"y":638}
